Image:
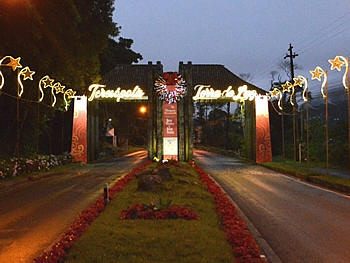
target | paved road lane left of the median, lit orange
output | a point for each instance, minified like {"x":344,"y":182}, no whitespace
{"x":33,"y":215}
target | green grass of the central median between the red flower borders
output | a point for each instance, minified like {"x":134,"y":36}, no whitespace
{"x":110,"y":239}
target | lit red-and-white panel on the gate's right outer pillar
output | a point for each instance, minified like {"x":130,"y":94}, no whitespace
{"x":263,"y":139}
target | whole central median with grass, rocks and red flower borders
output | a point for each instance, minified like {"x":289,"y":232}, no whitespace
{"x":172,"y":212}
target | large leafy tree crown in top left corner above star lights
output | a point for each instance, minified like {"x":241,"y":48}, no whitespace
{"x":66,"y":47}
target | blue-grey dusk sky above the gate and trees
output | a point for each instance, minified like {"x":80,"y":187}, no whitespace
{"x":245,"y":36}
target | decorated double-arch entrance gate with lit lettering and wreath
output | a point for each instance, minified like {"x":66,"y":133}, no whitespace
{"x":170,"y":97}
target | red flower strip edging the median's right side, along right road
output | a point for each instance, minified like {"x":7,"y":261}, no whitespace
{"x":243,"y":244}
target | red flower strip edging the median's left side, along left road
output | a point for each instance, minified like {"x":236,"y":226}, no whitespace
{"x":58,"y":251}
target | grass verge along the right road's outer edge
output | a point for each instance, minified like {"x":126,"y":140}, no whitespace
{"x":328,"y":181}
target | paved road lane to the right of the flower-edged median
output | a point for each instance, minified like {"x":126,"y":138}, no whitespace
{"x":301,"y":223}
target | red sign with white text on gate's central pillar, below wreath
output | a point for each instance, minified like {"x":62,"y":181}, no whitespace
{"x":170,"y":140}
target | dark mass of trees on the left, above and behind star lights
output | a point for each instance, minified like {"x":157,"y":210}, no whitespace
{"x":67,"y":40}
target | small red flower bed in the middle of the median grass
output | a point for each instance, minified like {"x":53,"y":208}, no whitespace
{"x":141,"y":211}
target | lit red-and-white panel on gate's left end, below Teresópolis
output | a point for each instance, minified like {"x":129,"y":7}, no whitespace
{"x":79,"y":133}
